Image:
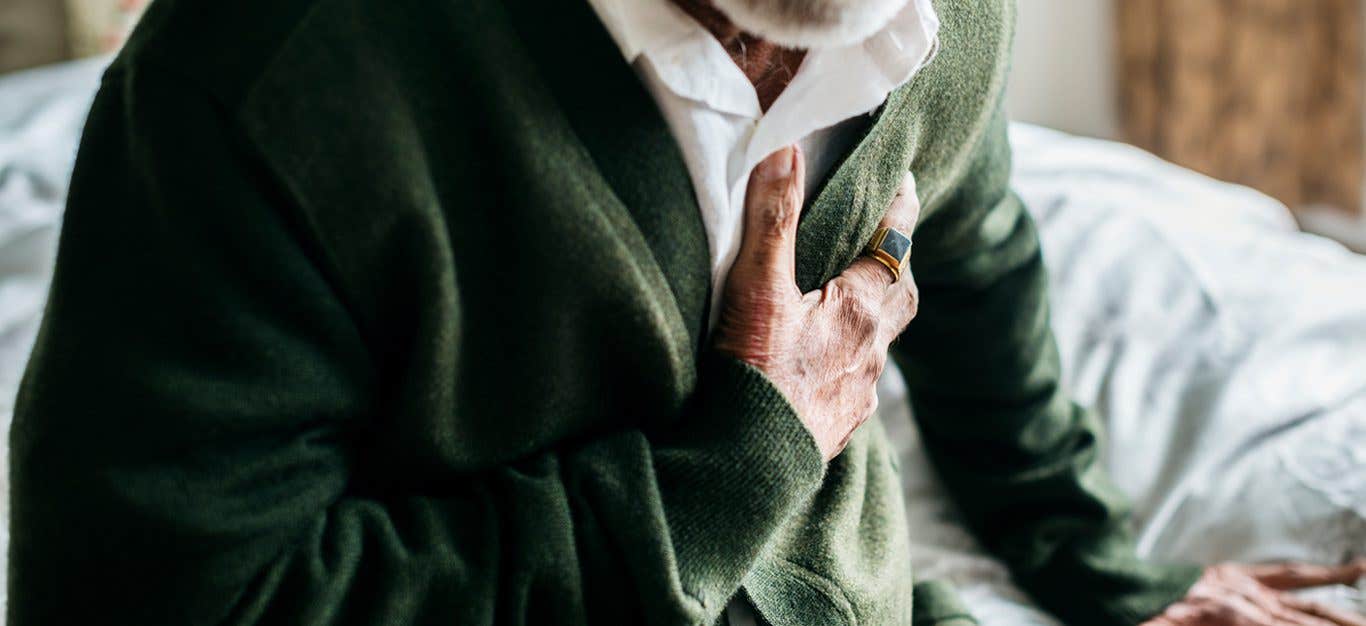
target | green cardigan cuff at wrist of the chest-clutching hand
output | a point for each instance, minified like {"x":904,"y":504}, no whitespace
{"x":738,"y":467}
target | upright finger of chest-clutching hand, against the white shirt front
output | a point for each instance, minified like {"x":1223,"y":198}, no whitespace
{"x":772,"y":208}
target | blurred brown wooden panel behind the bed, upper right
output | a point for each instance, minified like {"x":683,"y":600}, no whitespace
{"x":1267,"y":94}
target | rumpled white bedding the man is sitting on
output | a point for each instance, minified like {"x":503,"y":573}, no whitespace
{"x":1225,"y":351}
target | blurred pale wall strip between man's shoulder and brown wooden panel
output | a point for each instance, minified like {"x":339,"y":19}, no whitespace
{"x":1065,"y":66}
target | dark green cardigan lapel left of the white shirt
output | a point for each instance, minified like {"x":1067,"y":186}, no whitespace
{"x":622,"y":129}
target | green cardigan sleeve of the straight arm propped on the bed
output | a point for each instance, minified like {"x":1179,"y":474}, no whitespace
{"x":1016,"y":453}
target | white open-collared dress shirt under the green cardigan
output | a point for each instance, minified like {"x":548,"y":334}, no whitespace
{"x":715,"y":114}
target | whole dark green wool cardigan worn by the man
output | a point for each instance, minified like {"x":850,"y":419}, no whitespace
{"x":393,"y":312}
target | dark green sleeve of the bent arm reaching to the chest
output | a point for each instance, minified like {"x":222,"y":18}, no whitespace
{"x":189,"y":430}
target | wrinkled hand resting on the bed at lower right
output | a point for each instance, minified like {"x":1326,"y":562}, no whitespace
{"x":1238,"y":595}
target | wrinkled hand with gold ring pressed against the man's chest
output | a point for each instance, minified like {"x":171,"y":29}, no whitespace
{"x":824,"y":351}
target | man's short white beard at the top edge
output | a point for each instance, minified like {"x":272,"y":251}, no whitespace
{"x":811,"y":24}
